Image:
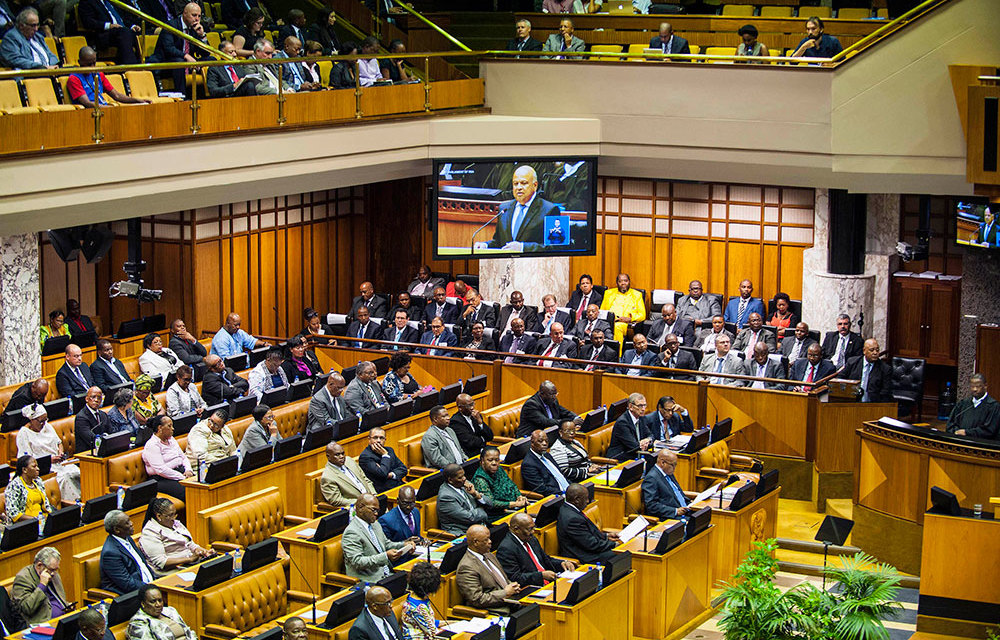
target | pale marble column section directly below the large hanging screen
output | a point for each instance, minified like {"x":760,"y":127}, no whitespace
{"x":533,"y":277}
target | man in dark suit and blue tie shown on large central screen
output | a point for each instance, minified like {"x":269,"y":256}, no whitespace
{"x":521,"y":224}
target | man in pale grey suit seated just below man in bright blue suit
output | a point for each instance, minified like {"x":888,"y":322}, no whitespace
{"x":368,"y":554}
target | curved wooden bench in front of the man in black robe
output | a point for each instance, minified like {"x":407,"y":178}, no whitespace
{"x":894,"y":473}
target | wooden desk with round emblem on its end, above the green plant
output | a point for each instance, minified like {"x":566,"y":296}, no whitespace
{"x":736,"y":531}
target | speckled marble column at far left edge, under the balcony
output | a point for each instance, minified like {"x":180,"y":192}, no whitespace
{"x":20,"y":358}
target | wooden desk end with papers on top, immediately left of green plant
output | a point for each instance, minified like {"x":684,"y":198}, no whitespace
{"x":675,"y":588}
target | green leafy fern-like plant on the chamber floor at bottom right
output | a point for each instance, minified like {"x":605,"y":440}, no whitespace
{"x":864,"y":593}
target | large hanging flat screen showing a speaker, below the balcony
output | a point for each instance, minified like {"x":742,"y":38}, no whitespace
{"x":479,"y":207}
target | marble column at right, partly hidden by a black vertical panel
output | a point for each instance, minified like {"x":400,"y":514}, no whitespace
{"x":826,"y":295}
